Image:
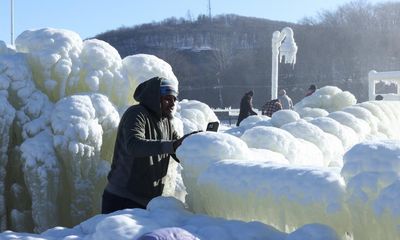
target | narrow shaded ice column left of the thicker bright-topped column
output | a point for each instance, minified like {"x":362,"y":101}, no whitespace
{"x":42,"y":172}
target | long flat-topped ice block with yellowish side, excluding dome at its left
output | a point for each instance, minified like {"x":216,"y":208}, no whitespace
{"x":303,"y":194}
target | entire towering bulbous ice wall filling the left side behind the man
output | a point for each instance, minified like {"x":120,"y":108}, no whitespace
{"x":60,"y":104}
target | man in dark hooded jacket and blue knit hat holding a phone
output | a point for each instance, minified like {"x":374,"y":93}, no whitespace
{"x":145,"y":140}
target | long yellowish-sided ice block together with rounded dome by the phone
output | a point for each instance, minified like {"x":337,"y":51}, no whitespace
{"x":234,"y":186}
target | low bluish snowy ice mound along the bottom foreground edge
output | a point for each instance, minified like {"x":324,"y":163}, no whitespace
{"x":168,"y":212}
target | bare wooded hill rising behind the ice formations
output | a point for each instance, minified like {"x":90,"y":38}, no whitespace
{"x":217,"y":60}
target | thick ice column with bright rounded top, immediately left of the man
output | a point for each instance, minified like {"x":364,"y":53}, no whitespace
{"x":78,"y":140}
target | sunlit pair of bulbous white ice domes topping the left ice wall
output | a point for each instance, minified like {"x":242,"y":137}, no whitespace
{"x":62,"y":64}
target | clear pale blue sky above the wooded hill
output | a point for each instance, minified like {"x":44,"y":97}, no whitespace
{"x":90,"y":17}
